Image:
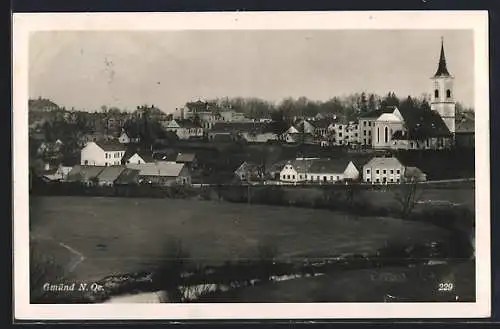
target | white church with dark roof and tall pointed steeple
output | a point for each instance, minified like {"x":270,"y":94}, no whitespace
{"x":420,"y":128}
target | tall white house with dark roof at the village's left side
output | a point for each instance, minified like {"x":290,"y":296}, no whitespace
{"x":102,"y":154}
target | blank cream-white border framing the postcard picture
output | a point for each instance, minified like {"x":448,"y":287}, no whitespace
{"x":23,"y":24}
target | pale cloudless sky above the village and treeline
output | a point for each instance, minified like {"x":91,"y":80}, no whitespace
{"x":88,"y":69}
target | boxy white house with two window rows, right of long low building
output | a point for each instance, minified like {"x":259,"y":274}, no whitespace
{"x":381,"y":170}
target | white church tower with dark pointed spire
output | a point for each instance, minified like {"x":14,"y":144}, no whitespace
{"x":443,"y":96}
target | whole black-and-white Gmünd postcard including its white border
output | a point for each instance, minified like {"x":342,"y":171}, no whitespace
{"x":230,"y":161}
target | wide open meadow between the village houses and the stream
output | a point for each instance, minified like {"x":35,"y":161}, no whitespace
{"x":115,"y":235}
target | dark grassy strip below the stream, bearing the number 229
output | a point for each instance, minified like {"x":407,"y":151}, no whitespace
{"x":420,"y":283}
